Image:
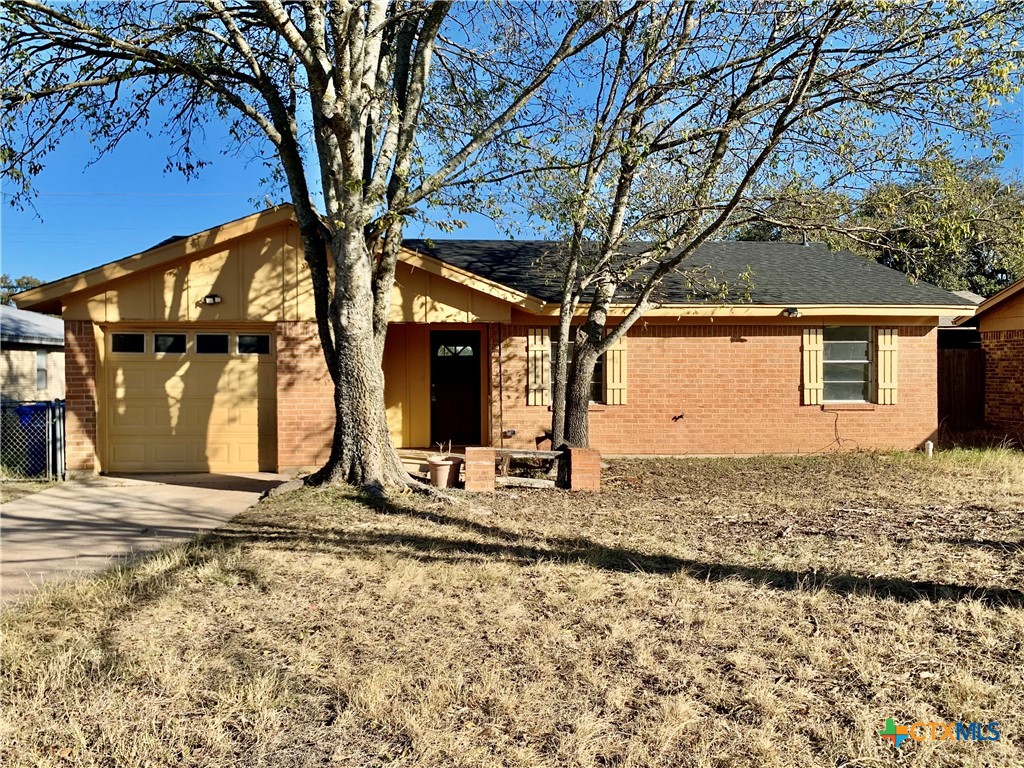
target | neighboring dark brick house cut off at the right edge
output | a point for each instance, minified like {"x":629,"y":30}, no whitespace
{"x":1000,"y":321}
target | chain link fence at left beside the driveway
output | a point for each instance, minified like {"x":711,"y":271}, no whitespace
{"x":32,"y":441}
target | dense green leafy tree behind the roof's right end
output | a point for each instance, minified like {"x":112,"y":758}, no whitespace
{"x":956,"y":224}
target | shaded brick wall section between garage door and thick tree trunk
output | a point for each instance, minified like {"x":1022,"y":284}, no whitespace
{"x":306,"y":399}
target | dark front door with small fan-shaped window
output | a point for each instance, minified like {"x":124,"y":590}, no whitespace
{"x":455,"y":388}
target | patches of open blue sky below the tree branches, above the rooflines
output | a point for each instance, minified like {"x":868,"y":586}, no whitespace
{"x":125,"y":203}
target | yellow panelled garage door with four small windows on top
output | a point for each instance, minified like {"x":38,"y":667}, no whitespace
{"x":191,"y":402}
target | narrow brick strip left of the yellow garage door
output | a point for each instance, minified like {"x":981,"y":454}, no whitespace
{"x":80,"y":377}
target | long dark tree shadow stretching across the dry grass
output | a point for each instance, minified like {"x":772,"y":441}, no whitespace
{"x":511,"y":547}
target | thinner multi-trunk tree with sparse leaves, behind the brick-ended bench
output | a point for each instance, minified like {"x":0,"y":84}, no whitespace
{"x":701,"y":111}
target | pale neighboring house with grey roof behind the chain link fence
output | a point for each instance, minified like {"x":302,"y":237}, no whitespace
{"x":31,"y":356}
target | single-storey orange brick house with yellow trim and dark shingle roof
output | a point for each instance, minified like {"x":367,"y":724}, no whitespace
{"x":202,"y":354}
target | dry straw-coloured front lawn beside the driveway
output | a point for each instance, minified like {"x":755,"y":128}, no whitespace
{"x":710,"y":613}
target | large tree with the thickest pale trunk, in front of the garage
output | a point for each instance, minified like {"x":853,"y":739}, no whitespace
{"x":372,"y":105}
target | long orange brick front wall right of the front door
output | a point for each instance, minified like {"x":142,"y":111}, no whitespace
{"x":719,"y":390}
